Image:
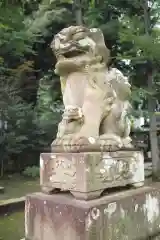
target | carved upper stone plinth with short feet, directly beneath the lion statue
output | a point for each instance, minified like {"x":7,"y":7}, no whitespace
{"x":87,"y":175}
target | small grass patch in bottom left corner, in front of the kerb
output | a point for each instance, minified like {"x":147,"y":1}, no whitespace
{"x":12,"y":226}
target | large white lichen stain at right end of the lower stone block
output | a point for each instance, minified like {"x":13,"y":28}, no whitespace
{"x":151,"y":208}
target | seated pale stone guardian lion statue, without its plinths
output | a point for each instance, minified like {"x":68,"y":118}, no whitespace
{"x":95,"y":97}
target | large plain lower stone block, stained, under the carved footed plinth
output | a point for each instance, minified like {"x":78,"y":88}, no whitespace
{"x":128,"y":215}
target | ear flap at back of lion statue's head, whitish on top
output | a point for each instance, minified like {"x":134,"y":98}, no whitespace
{"x":97,"y":35}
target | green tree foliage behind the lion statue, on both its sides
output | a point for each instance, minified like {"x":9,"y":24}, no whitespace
{"x":29,"y":91}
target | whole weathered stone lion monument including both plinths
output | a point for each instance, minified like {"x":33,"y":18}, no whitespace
{"x":91,"y":153}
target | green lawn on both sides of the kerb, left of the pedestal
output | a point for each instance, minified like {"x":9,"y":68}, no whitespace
{"x":12,"y":225}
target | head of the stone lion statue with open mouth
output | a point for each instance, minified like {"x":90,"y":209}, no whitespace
{"x":76,"y":47}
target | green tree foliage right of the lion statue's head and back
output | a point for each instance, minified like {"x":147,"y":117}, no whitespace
{"x":132,"y":50}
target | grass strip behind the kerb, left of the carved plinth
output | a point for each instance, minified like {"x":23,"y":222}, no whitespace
{"x":18,"y":186}
